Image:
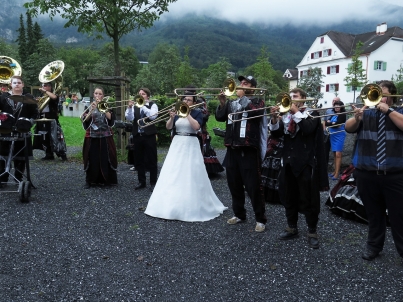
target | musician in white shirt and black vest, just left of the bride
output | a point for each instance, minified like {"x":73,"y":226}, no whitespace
{"x":144,"y":139}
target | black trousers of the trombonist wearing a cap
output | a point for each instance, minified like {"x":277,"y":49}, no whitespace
{"x":243,"y":168}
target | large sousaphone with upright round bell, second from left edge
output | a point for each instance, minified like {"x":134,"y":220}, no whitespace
{"x":49,"y":73}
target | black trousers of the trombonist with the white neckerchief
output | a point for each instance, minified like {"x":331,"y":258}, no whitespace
{"x":300,"y":194}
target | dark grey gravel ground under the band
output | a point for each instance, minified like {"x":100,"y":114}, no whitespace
{"x":71,"y":244}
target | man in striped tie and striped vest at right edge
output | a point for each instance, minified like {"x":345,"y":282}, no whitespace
{"x":379,"y":168}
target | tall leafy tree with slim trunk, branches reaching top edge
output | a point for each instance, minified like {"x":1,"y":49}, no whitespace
{"x":115,"y":18}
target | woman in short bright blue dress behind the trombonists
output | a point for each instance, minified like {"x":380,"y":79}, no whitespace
{"x":335,"y":125}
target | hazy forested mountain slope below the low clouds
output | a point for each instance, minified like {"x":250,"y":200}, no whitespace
{"x":208,"y":39}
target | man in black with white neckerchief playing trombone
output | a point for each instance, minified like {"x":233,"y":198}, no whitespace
{"x":303,"y":166}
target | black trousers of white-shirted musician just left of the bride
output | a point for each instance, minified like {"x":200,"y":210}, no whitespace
{"x":145,"y":147}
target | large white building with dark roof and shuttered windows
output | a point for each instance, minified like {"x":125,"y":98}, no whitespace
{"x":382,"y":55}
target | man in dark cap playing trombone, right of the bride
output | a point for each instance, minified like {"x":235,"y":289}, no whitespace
{"x":246,"y":147}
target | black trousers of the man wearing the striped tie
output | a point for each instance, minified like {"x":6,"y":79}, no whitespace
{"x":378,"y":193}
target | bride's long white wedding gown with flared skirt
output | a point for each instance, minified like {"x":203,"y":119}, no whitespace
{"x":183,"y":190}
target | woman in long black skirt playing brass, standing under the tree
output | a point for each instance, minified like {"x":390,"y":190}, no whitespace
{"x":99,"y":150}
